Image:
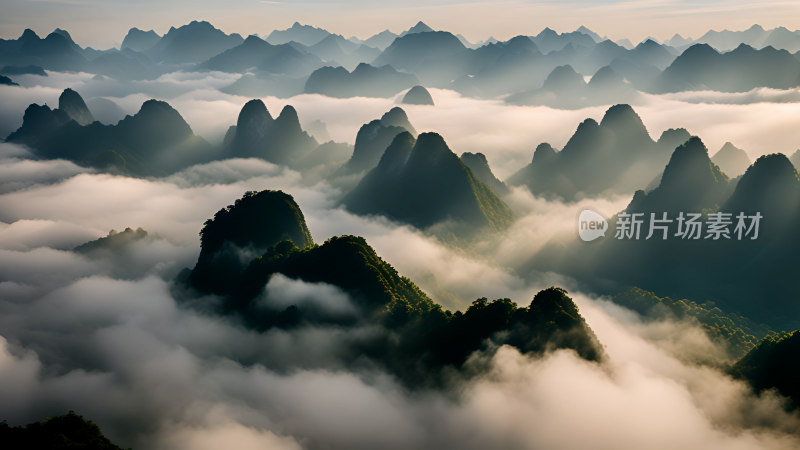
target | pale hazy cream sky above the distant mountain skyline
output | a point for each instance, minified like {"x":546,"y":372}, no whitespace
{"x":103,"y":23}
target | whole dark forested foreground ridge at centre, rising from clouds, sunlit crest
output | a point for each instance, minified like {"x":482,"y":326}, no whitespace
{"x":410,"y":335}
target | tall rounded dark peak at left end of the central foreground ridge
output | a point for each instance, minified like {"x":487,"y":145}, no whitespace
{"x":242,"y":232}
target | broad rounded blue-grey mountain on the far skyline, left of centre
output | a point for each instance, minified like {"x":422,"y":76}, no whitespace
{"x":192,"y":43}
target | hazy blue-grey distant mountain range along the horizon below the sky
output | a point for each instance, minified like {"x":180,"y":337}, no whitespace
{"x":549,"y":68}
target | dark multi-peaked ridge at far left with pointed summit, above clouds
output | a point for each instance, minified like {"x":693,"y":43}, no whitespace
{"x":155,"y":141}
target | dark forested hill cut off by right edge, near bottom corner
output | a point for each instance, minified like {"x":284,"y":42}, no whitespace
{"x":773,"y":364}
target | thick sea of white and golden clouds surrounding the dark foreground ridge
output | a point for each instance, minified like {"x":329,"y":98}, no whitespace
{"x":102,"y":334}
